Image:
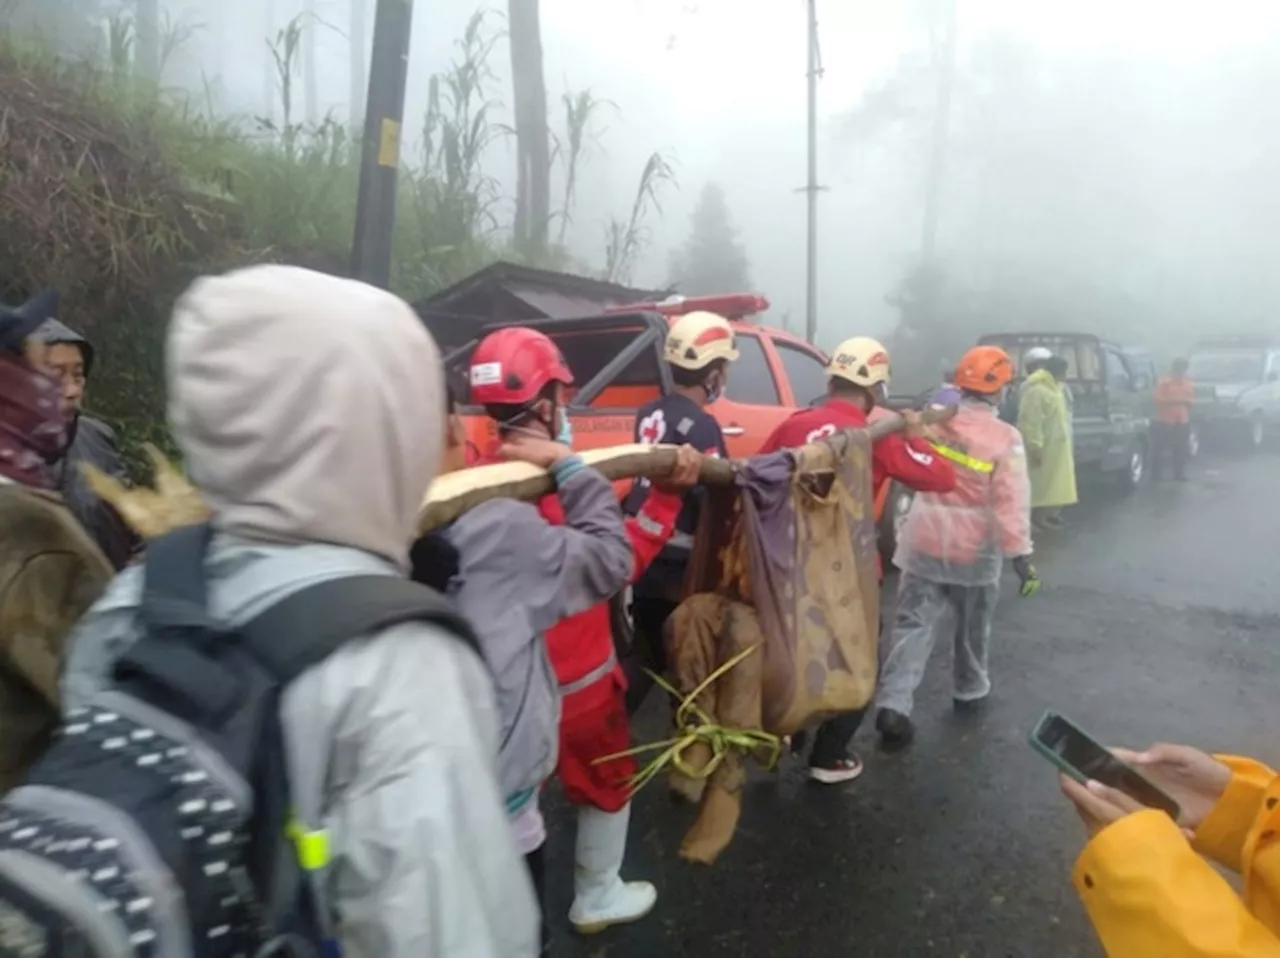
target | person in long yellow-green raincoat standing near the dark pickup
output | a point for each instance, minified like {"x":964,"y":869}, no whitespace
{"x":1045,"y":422}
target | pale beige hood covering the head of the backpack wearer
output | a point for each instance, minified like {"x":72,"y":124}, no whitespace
{"x":308,"y":408}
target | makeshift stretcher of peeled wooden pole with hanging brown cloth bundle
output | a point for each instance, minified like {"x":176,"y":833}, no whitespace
{"x":780,"y":624}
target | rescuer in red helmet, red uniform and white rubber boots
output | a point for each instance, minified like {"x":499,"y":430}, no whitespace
{"x":593,"y":723}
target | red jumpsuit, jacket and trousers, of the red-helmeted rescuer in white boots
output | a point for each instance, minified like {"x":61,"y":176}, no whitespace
{"x":595,"y":710}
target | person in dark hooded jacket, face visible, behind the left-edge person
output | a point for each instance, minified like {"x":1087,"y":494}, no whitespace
{"x":71,"y":358}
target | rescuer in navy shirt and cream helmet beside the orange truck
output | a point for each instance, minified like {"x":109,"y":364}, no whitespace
{"x":700,"y":350}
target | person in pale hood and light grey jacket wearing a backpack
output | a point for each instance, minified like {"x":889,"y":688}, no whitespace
{"x":392,"y":742}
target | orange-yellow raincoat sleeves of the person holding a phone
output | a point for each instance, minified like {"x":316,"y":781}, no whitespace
{"x":1150,"y":895}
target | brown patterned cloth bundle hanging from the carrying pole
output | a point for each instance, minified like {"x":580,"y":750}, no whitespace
{"x":785,"y":562}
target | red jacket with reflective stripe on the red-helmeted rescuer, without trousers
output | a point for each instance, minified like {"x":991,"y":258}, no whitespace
{"x":583,"y":645}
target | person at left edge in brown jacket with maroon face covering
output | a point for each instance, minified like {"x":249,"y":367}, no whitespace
{"x":51,"y":572}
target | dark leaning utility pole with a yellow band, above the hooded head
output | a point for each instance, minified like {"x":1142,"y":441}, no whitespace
{"x":385,"y":115}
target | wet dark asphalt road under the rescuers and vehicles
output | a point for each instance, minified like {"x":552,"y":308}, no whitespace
{"x":1159,"y":621}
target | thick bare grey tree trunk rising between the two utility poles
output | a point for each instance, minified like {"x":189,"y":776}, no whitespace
{"x":533,"y":139}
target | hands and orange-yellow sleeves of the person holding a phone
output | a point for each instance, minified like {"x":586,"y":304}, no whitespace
{"x":1150,"y":884}
